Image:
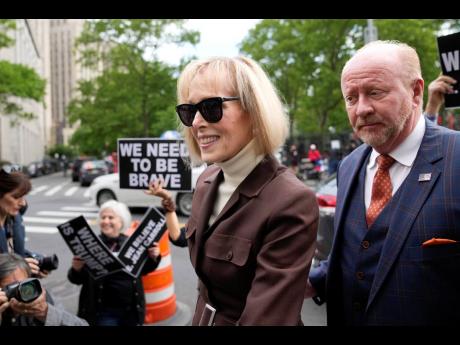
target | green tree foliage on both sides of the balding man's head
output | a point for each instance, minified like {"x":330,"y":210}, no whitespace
{"x":304,"y":58}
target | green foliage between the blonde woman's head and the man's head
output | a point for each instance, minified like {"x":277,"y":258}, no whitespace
{"x":304,"y":59}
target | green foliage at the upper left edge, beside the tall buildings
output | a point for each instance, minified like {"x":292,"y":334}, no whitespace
{"x":17,"y":80}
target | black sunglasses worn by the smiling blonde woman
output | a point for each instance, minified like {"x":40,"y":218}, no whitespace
{"x":210,"y":109}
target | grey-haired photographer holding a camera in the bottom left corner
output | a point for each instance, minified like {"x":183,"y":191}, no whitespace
{"x":37,"y":307}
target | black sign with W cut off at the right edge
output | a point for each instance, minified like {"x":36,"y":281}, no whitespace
{"x":449,"y":53}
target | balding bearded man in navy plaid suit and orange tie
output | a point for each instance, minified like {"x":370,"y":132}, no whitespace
{"x":395,"y":257}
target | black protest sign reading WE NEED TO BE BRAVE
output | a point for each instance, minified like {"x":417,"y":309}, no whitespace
{"x":141,"y":161}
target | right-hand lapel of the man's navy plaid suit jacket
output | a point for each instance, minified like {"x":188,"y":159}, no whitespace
{"x":413,"y":197}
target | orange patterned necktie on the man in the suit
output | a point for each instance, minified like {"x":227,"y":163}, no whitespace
{"x":381,"y":189}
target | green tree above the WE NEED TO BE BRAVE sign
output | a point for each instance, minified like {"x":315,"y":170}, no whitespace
{"x":135,"y":94}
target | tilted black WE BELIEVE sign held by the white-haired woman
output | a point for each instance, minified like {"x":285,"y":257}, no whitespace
{"x":134,"y":251}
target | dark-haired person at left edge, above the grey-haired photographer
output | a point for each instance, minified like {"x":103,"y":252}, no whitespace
{"x":14,"y":186}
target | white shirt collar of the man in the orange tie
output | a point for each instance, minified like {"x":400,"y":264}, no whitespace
{"x":406,"y":152}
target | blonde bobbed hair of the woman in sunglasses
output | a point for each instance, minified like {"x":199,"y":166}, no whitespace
{"x":258,"y":97}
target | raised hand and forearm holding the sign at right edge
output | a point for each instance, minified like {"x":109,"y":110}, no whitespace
{"x":436,"y":90}
